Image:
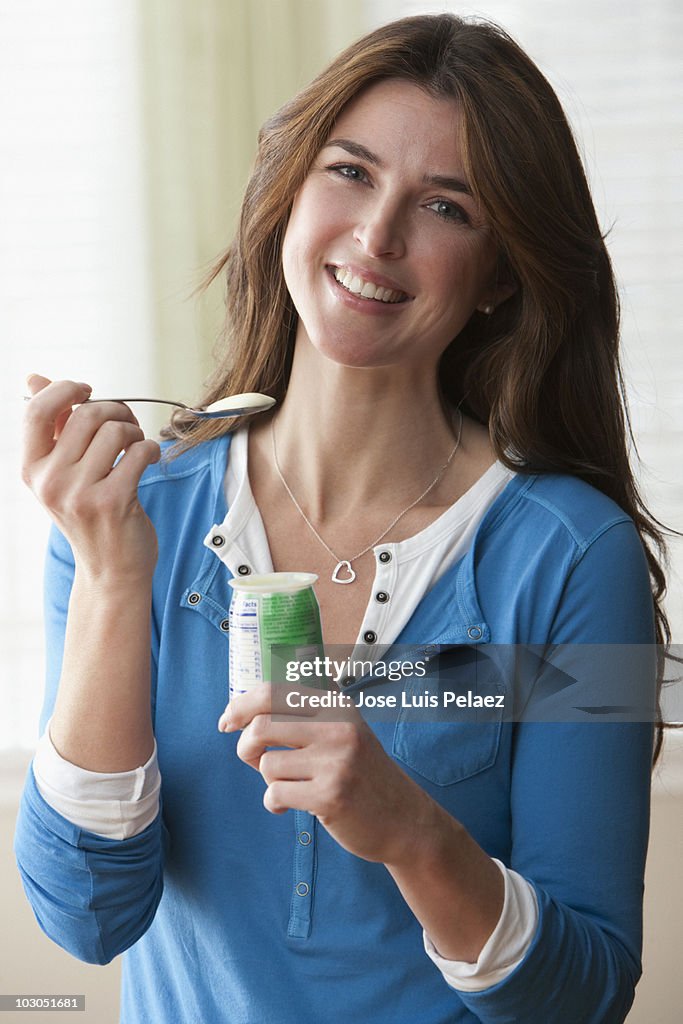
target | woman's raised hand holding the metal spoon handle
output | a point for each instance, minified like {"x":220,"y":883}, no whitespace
{"x":69,"y":463}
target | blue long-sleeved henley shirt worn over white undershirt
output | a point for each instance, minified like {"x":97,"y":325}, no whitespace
{"x":233,"y":915}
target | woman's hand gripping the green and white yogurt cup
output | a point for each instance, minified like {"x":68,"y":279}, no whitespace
{"x":334,"y":767}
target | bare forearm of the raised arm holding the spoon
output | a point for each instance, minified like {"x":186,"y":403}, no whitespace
{"x":103,"y":719}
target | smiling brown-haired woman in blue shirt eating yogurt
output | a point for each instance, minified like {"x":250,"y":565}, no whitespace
{"x":420,"y":280}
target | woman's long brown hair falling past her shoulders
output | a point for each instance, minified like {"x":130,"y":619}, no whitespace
{"x":543,"y":371}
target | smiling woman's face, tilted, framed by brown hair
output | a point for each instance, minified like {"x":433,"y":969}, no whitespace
{"x":387,"y":254}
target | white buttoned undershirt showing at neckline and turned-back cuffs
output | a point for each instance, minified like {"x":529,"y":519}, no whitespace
{"x":122,"y":804}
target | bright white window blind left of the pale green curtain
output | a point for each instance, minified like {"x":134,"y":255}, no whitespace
{"x":74,"y":295}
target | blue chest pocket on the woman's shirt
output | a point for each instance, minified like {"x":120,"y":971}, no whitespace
{"x":443,"y":736}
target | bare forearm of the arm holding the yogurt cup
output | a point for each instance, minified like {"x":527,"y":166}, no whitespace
{"x":453,"y":887}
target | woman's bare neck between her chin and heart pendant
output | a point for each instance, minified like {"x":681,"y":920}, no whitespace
{"x":347,"y":439}
